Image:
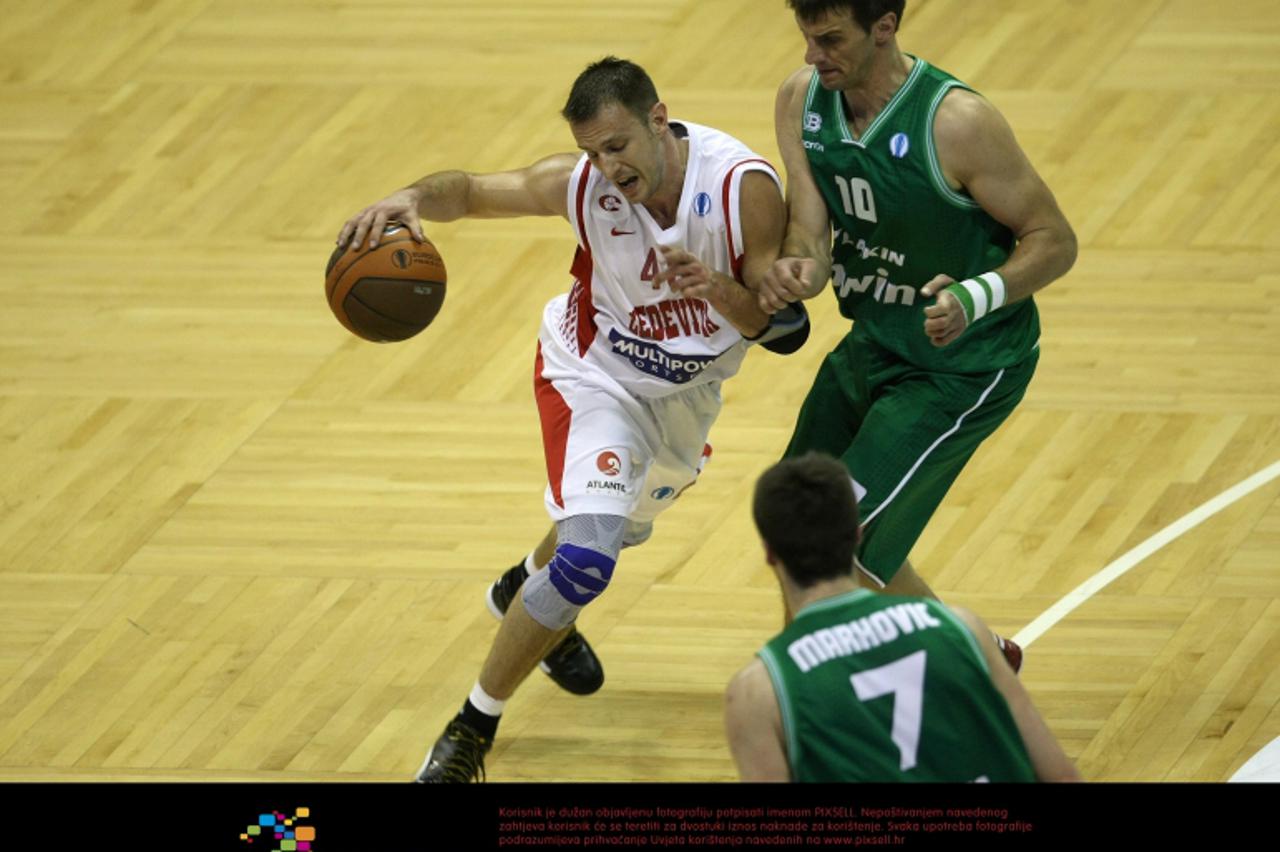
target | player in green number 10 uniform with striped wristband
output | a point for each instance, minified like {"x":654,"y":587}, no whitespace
{"x":908,"y":191}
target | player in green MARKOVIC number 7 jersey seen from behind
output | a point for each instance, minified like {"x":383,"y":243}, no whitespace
{"x":865,"y":688}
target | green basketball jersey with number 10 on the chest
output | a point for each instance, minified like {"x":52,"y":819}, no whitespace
{"x":898,"y":225}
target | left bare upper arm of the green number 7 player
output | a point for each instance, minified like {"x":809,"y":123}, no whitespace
{"x":755,"y":726}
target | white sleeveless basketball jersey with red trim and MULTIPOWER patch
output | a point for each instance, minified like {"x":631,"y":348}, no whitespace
{"x":653,"y":341}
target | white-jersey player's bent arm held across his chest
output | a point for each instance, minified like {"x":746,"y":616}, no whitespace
{"x":764,"y":218}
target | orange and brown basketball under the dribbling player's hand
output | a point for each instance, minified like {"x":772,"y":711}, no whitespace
{"x":390,"y":292}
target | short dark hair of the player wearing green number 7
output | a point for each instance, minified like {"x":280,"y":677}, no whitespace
{"x":807,"y":512}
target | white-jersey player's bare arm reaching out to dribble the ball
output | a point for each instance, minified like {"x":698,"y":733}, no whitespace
{"x":540,"y":190}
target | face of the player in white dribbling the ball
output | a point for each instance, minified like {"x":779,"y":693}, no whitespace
{"x":627,"y":150}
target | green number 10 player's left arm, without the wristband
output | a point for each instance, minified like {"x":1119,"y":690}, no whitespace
{"x":804,"y":267}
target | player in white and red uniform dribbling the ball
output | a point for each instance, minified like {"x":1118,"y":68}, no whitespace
{"x":671,"y":219}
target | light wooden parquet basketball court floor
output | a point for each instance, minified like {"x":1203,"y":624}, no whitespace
{"x":237,"y":543}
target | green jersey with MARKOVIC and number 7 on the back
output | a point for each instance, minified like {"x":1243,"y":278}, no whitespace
{"x":885,"y":689}
